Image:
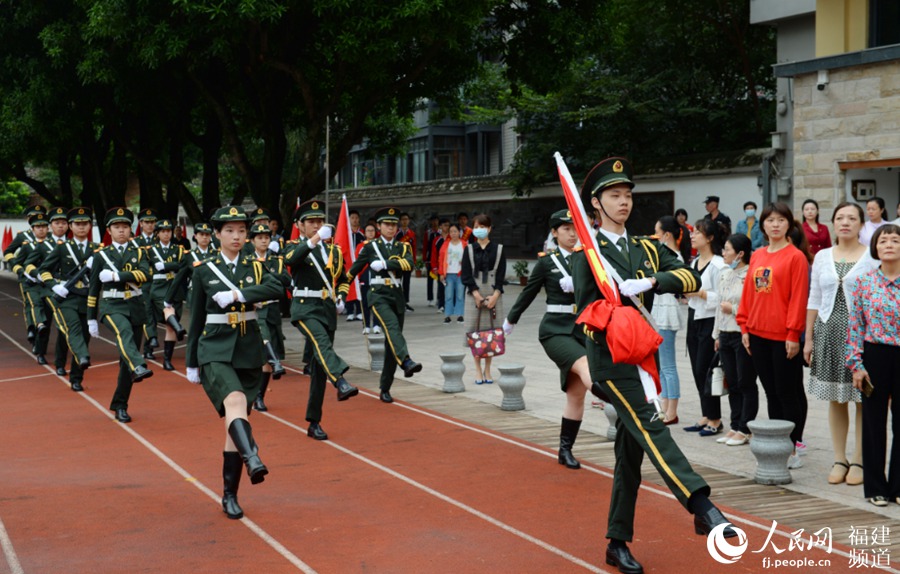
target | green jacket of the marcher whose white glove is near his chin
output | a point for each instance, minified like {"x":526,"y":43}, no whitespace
{"x":299,"y":257}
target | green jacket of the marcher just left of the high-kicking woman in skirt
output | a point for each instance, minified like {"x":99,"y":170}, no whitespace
{"x":132,"y":268}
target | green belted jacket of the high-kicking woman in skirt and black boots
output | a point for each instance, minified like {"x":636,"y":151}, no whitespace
{"x":238,"y":344}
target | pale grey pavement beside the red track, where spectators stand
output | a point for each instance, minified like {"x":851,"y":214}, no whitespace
{"x":427,"y":336}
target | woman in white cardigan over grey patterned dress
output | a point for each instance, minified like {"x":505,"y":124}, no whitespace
{"x":834,"y":273}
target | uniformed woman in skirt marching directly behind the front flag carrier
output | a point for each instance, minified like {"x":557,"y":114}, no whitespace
{"x":562,"y":339}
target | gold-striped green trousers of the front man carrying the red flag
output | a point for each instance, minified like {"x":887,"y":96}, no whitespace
{"x":636,"y":434}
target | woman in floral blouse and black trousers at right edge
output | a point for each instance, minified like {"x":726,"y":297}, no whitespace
{"x":873,"y":355}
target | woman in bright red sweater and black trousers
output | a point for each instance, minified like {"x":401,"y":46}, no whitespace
{"x":772,"y":316}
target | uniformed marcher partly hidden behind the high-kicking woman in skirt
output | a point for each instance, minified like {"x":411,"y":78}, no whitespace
{"x":269,"y":311}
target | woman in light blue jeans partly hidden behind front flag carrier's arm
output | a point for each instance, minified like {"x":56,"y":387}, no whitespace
{"x":667,"y":314}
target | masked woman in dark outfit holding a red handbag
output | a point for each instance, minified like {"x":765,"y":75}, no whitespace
{"x":483,"y":271}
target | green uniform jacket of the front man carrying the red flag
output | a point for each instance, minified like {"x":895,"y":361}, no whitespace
{"x":647,"y":258}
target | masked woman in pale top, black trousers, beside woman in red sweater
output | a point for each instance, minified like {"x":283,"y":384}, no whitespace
{"x":743,"y":395}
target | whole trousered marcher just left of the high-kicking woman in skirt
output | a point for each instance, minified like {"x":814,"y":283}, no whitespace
{"x":116,"y":297}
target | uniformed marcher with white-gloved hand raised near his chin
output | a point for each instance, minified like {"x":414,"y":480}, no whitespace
{"x":319,"y":290}
